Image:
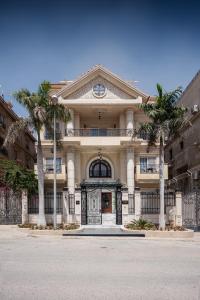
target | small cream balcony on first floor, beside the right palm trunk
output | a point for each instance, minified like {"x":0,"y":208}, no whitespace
{"x":149,"y":172}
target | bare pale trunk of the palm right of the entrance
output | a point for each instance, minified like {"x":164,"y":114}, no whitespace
{"x":162,"y":185}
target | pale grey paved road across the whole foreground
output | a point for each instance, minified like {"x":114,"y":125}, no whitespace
{"x":55,"y":267}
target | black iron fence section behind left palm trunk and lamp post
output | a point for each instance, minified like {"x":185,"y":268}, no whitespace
{"x":33,"y":203}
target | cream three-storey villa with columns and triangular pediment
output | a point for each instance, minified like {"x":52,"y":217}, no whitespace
{"x":104,"y":171}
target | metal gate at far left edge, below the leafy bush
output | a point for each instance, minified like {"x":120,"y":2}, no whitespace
{"x":10,"y":207}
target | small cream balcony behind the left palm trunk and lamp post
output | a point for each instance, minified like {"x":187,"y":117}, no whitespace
{"x":49,"y":172}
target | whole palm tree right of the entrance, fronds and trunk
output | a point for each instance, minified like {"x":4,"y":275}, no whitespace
{"x":165,"y":120}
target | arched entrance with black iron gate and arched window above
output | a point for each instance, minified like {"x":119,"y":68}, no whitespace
{"x":100,"y":196}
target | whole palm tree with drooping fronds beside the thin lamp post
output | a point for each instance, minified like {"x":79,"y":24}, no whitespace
{"x":41,"y":113}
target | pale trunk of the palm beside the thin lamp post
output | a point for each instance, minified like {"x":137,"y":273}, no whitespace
{"x":41,"y":216}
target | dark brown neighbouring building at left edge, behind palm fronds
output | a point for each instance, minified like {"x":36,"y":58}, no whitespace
{"x":23,"y":150}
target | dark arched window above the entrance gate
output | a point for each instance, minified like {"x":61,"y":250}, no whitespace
{"x":100,"y":168}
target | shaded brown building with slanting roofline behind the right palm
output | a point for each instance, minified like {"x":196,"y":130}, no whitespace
{"x":183,"y":152}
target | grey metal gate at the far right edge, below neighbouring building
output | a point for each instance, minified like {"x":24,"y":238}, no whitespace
{"x":191,"y":210}
